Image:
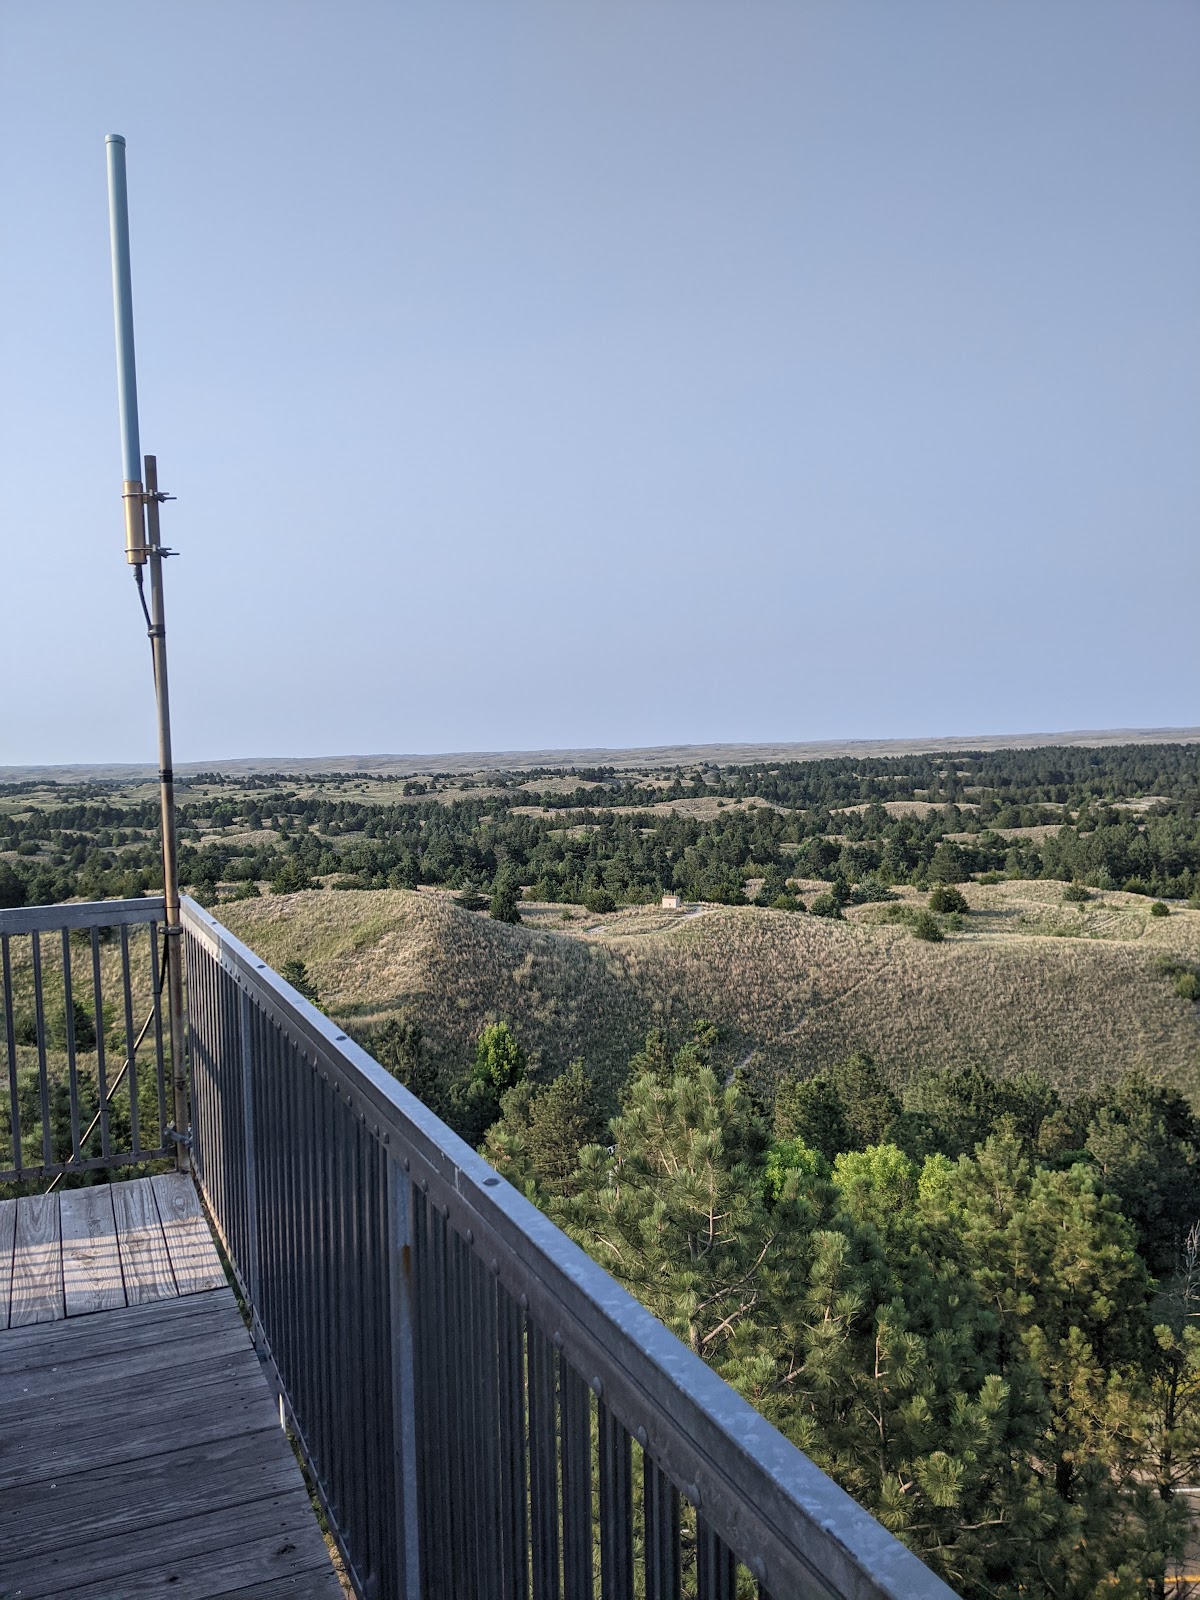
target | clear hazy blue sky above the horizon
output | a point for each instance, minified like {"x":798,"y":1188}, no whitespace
{"x":606,"y":374}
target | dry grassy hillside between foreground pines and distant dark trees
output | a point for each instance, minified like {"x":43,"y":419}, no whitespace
{"x":1073,"y":991}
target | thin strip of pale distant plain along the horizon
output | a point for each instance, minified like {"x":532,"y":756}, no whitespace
{"x":638,"y":759}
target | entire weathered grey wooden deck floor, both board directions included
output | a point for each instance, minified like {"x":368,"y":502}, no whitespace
{"x":140,"y":1442}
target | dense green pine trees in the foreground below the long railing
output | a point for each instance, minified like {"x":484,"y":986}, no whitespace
{"x":946,"y":1300}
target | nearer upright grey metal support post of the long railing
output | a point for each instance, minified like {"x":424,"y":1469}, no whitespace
{"x":404,"y":1380}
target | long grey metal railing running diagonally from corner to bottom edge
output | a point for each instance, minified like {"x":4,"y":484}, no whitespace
{"x":487,"y":1415}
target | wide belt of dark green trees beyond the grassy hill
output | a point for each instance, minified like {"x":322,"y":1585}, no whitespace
{"x":772,"y":823}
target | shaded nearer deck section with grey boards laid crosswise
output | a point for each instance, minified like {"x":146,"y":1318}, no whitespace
{"x":135,"y":1487}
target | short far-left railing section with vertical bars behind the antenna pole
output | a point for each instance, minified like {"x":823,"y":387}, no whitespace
{"x":86,"y":1065}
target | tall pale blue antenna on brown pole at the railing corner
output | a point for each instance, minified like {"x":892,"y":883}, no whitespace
{"x":143,"y":498}
